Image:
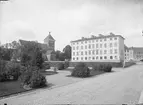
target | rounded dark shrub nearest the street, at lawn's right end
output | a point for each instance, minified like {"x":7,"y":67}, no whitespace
{"x":37,"y":80}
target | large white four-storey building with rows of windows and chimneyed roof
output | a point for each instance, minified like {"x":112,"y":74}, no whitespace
{"x":109,"y":48}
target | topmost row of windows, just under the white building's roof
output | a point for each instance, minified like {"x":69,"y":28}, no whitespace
{"x":97,"y":40}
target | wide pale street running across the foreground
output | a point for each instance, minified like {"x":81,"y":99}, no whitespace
{"x":117,"y":87}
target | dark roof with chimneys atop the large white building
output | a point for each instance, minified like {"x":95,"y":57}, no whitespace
{"x":98,"y":37}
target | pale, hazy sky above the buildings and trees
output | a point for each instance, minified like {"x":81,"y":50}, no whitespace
{"x":69,"y":20}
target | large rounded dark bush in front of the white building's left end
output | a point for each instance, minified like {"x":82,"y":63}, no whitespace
{"x":81,"y":70}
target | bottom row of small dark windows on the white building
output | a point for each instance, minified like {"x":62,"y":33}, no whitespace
{"x":94,"y":58}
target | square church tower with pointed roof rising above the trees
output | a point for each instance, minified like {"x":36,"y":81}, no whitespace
{"x":50,"y":41}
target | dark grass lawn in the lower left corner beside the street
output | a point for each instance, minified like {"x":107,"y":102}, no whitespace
{"x":11,"y":87}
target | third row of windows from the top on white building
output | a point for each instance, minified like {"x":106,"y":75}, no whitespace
{"x":95,"y":52}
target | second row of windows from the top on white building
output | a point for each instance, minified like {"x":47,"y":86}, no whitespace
{"x":93,"y":46}
